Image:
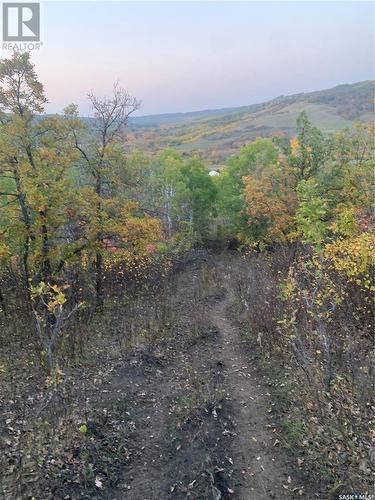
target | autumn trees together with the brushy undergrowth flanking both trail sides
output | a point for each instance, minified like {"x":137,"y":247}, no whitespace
{"x":84,"y":221}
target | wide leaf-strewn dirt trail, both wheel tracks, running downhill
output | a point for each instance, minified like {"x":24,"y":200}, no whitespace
{"x":201,"y":419}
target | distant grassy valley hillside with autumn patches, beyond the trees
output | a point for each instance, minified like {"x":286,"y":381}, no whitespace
{"x":216,"y":134}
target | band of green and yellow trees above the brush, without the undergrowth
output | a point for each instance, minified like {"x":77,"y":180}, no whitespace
{"x":74,"y":202}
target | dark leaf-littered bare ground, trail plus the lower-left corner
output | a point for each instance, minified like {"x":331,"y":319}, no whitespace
{"x":186,"y":416}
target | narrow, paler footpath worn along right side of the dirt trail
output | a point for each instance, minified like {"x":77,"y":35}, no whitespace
{"x":262,"y":471}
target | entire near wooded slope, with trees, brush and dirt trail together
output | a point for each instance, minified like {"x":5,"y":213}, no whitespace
{"x":155,"y":320}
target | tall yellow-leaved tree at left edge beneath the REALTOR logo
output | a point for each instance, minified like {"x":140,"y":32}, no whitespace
{"x":36,"y":156}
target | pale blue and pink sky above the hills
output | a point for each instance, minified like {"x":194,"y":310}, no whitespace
{"x":188,"y":56}
